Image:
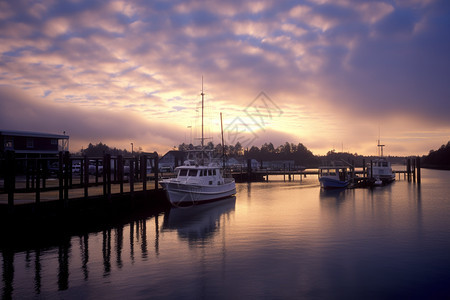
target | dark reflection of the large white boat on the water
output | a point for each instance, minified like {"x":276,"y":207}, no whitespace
{"x":198,"y":222}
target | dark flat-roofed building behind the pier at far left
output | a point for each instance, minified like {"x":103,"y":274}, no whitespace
{"x":32,"y":144}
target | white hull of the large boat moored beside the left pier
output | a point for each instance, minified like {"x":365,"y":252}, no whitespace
{"x":180,"y":194}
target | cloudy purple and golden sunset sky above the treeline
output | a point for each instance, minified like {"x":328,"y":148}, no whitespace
{"x":336,"y":74}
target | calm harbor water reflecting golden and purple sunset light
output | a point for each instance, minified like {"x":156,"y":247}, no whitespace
{"x":273,"y":241}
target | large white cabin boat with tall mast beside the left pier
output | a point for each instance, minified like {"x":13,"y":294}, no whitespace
{"x":199,"y":180}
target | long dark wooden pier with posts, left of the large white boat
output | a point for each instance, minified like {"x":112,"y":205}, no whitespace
{"x":79,"y":185}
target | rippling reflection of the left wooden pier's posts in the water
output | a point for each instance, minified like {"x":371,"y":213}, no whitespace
{"x":55,"y":264}
